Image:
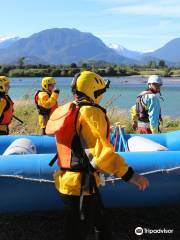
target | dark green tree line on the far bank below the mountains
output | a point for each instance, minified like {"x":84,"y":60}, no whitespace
{"x":69,"y":70}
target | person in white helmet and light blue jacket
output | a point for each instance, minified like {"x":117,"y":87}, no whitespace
{"x":146,"y":114}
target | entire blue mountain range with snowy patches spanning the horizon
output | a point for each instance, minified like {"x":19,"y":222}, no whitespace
{"x":65,"y":46}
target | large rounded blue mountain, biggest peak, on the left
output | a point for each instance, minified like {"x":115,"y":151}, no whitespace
{"x":61,"y":45}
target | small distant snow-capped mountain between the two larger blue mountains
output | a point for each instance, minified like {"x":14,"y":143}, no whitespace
{"x":125,"y":52}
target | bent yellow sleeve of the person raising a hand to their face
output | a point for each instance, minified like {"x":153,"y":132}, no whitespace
{"x":45,"y":101}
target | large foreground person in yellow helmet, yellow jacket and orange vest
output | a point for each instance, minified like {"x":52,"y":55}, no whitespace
{"x":91,"y":148}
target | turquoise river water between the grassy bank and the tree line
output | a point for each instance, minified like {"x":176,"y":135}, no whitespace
{"x":122,"y":89}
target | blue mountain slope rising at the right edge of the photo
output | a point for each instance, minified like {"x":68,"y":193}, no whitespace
{"x":170,"y":52}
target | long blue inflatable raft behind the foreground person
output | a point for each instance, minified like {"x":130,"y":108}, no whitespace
{"x":26,"y":182}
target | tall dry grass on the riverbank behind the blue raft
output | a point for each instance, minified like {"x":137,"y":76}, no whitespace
{"x":27,"y":112}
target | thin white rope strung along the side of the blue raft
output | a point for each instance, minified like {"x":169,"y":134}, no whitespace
{"x":111,"y":178}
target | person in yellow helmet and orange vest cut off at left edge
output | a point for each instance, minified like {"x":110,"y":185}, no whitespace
{"x":6,"y":106}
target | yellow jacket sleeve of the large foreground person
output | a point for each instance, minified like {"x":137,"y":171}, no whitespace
{"x":93,"y":125}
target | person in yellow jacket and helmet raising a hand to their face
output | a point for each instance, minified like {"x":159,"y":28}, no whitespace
{"x":46,"y":101}
